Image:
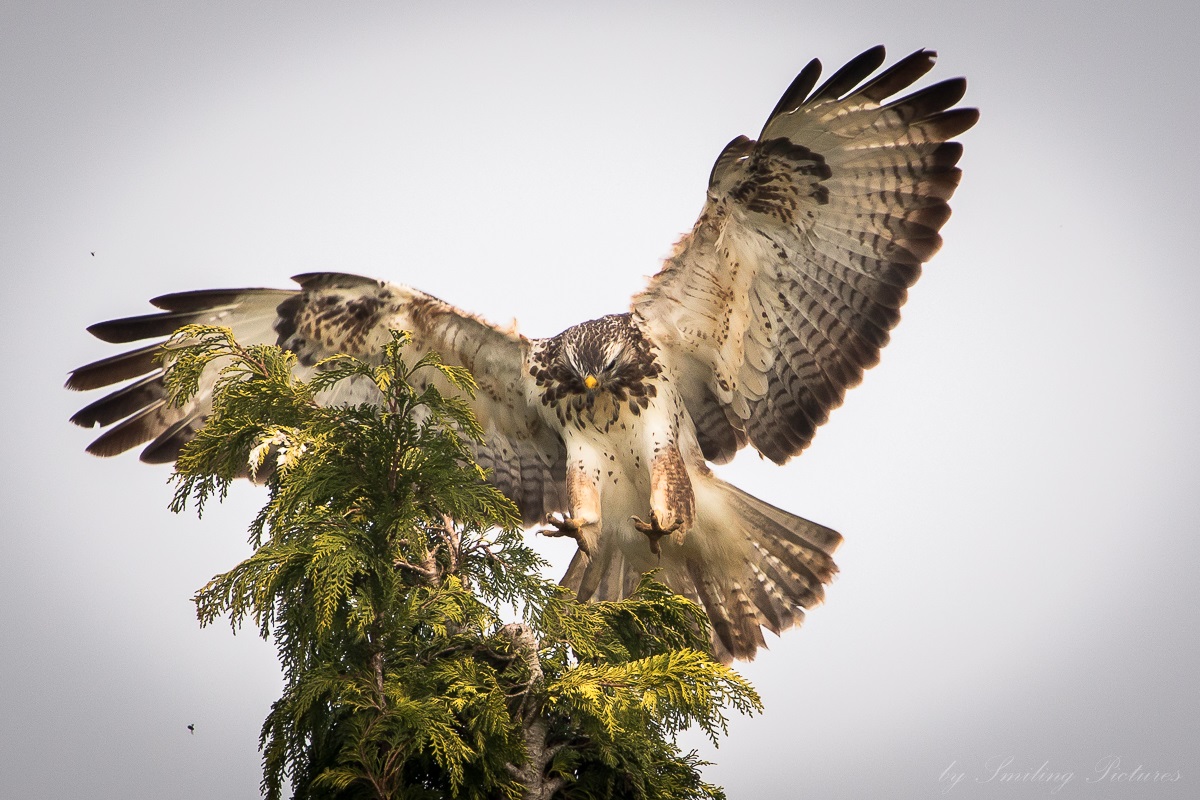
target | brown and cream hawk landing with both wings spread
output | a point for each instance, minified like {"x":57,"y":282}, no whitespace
{"x":759,"y":322}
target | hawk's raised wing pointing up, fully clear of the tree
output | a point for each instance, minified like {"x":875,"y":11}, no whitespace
{"x":784,"y":293}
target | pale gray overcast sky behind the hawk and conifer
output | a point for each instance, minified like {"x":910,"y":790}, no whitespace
{"x":1017,"y":483}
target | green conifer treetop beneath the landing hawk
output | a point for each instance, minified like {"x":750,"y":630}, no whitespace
{"x":381,"y":561}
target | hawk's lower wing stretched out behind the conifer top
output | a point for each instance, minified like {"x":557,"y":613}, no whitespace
{"x":332,"y":314}
